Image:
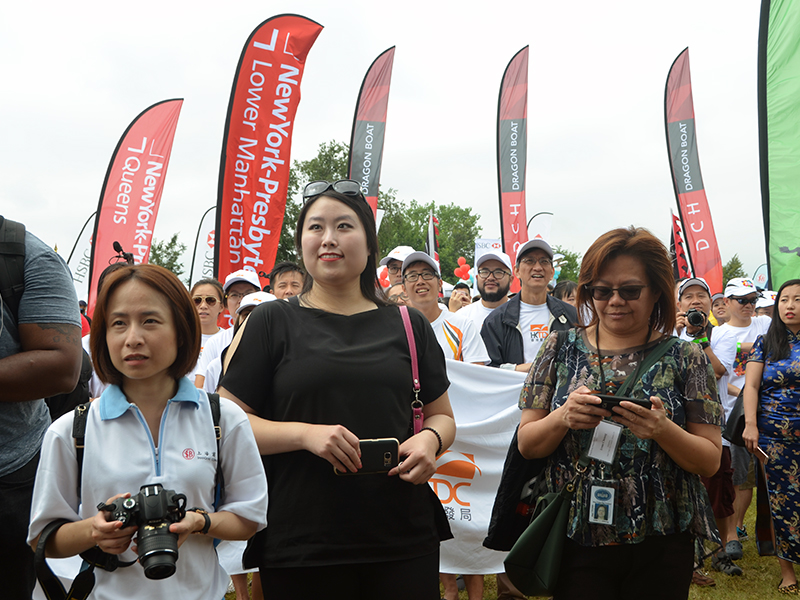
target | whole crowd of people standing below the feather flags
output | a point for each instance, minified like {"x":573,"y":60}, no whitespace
{"x":324,"y":359}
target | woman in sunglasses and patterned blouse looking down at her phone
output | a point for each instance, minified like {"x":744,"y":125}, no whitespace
{"x":657,"y":504}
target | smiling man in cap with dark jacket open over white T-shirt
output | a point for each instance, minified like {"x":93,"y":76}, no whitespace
{"x":515,"y":331}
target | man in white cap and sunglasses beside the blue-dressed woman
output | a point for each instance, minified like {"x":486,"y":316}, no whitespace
{"x":732,"y":343}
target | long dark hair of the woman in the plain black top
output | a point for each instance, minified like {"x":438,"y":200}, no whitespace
{"x":370,"y":288}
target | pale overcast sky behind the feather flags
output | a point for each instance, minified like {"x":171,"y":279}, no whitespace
{"x":74,"y":75}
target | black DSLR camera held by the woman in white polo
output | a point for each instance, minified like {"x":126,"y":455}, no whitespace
{"x":153,"y":510}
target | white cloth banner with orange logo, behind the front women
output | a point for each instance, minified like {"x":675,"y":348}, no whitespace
{"x":484,"y":403}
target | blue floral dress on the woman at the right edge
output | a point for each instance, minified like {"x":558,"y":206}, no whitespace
{"x":779,"y":437}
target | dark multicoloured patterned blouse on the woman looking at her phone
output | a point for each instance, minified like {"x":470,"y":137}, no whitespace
{"x":653,"y":495}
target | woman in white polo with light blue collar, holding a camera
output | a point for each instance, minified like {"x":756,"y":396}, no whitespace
{"x":151,"y":426}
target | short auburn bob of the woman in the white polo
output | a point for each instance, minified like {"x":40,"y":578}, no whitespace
{"x":184,"y":315}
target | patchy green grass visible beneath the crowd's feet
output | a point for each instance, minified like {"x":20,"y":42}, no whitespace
{"x":759,"y":581}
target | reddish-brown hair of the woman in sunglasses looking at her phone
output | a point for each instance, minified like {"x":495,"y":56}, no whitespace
{"x":639,"y":243}
